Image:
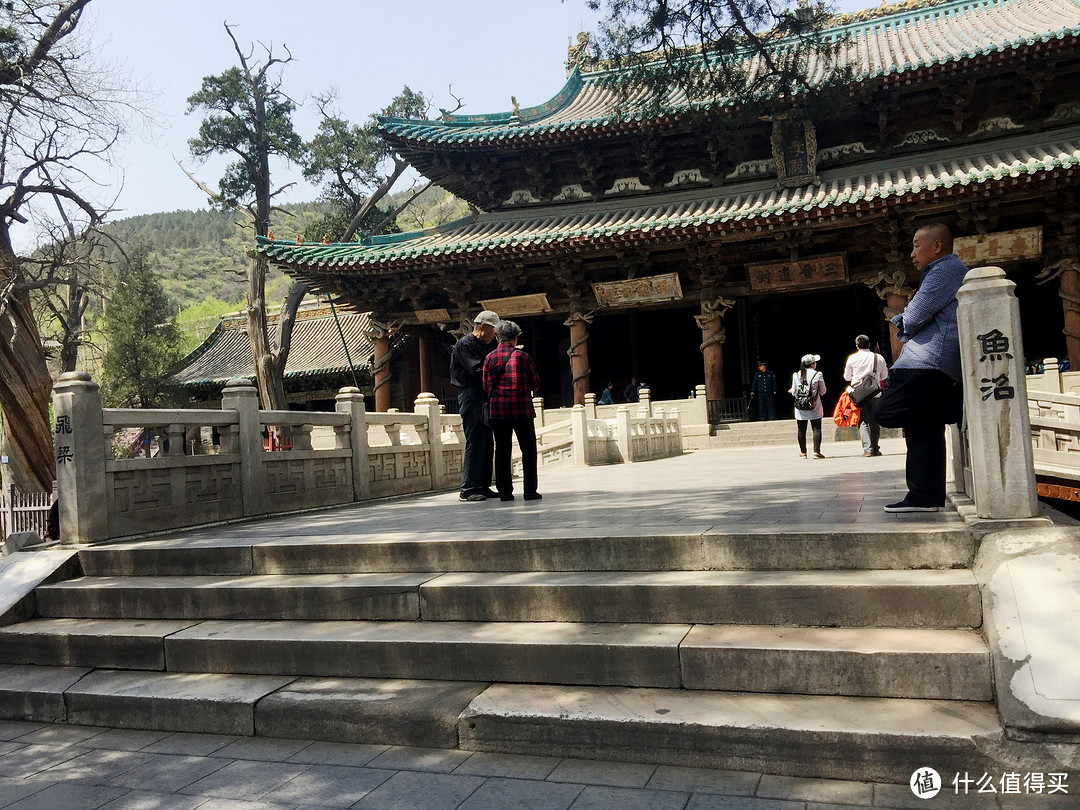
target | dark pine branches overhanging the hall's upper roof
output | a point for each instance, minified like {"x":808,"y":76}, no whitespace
{"x":714,"y":53}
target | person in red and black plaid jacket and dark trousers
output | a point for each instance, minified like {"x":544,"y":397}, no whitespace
{"x":510,"y":380}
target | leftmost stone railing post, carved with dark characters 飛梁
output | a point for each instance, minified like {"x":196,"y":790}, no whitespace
{"x":80,"y":460}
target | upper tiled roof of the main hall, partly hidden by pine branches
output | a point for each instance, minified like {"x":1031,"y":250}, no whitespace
{"x":915,"y":36}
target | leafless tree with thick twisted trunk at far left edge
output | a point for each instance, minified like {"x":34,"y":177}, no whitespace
{"x":61,"y":117}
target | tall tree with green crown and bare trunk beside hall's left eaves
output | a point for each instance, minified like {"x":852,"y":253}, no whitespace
{"x":249,"y":117}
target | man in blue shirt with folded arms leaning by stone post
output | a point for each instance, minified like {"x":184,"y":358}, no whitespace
{"x":925,"y":393}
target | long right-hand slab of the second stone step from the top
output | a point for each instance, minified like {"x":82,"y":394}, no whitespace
{"x":887,"y":599}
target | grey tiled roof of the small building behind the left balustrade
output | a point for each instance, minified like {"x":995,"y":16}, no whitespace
{"x":317,"y":350}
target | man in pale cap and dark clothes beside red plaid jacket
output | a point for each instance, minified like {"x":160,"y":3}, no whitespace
{"x":467,"y":374}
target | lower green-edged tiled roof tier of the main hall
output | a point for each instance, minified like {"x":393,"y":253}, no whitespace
{"x":544,"y":231}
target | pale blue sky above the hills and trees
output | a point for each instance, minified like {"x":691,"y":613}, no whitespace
{"x":488,"y":50}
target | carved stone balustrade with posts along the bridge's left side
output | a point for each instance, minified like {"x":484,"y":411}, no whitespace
{"x":124,"y":472}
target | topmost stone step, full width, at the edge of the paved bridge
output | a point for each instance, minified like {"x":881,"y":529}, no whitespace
{"x":841,"y":546}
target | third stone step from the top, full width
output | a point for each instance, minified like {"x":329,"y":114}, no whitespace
{"x":940,"y":665}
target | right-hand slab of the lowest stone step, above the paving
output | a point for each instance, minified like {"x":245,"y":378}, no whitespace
{"x":863,"y":739}
